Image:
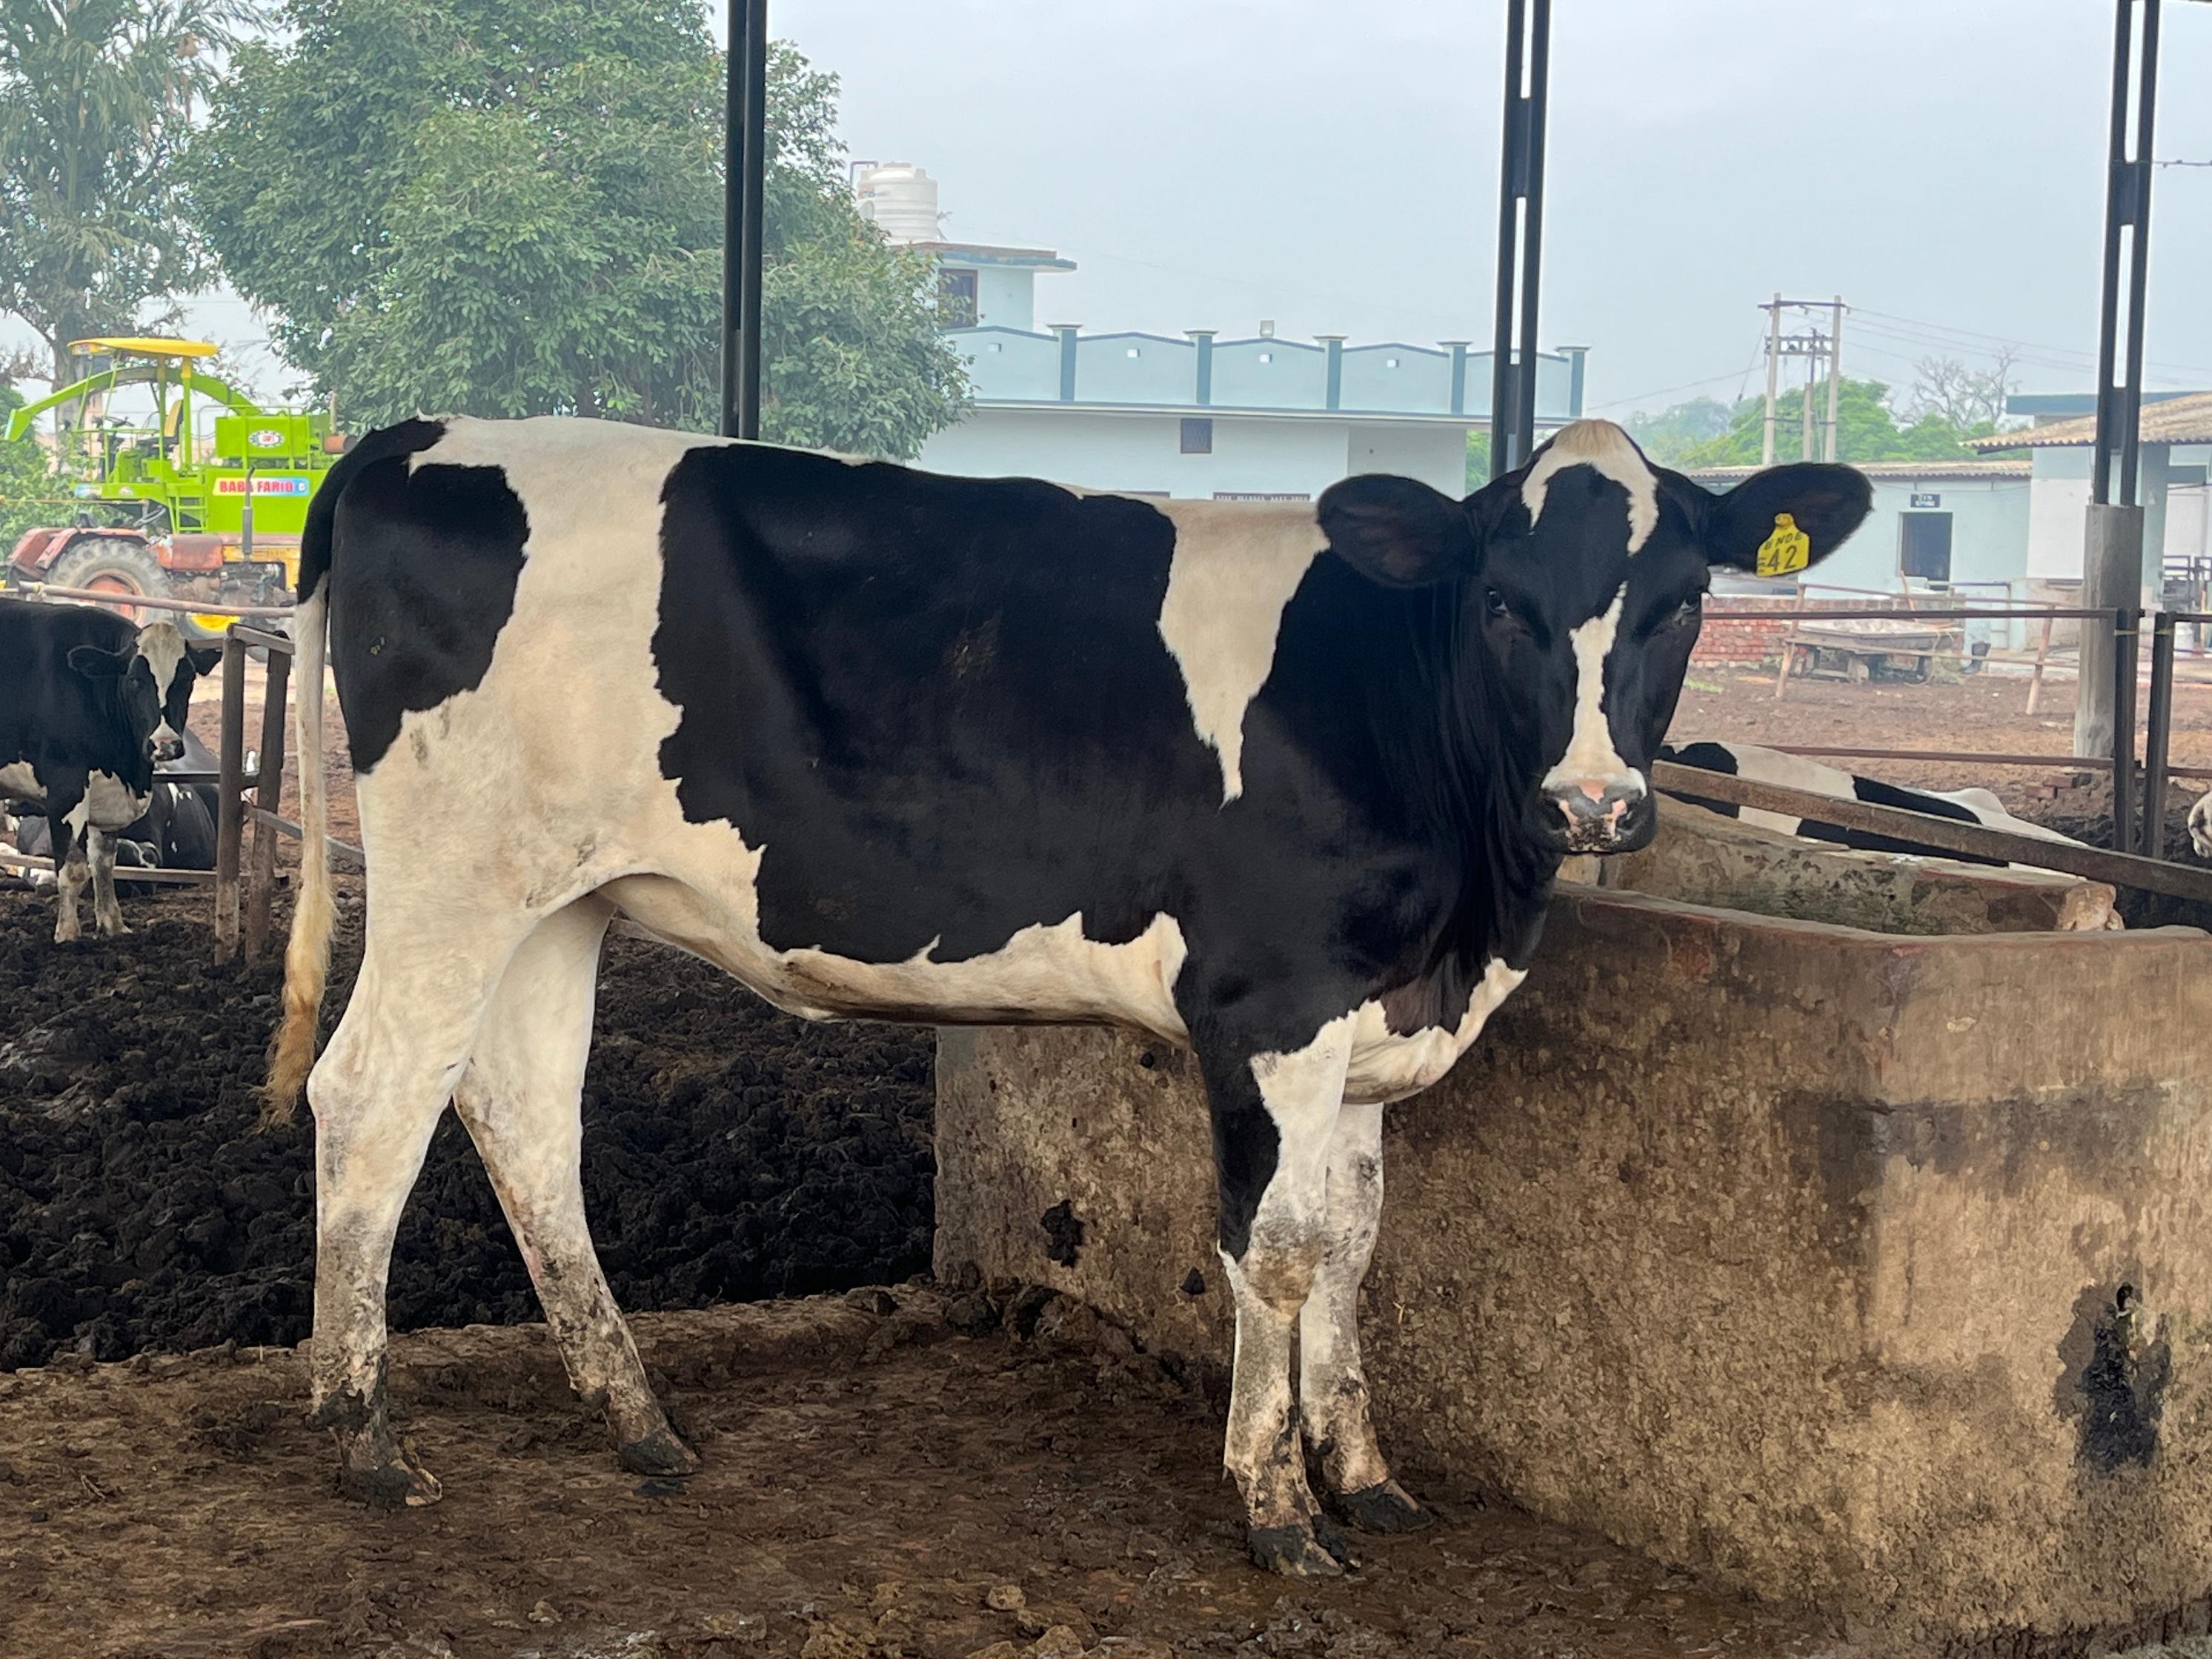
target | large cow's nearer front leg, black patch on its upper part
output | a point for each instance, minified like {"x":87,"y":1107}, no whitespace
{"x":1275,"y":1116}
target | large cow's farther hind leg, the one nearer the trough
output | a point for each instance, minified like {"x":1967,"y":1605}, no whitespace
{"x":523,"y":1103}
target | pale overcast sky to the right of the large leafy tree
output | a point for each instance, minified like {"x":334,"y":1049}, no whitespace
{"x":1335,"y":167}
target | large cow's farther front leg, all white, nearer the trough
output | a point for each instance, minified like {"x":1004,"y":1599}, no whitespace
{"x":1333,"y":1384}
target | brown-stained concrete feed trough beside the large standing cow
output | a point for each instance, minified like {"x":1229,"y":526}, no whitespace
{"x":1844,"y":1266}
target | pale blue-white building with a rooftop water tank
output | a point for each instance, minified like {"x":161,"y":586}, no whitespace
{"x":1196,"y":415}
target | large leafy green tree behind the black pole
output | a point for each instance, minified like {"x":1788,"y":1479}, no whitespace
{"x":514,"y":207}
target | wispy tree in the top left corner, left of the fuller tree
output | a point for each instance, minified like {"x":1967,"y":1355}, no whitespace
{"x":96,"y":98}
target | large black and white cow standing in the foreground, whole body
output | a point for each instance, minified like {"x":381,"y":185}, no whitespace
{"x":1280,"y":782}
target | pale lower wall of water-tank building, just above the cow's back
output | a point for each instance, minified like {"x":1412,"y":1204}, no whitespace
{"x":1142,"y":452}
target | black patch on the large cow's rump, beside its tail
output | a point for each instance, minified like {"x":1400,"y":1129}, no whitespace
{"x":421,"y":581}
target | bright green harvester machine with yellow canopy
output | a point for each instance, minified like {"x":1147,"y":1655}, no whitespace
{"x":207,"y":512}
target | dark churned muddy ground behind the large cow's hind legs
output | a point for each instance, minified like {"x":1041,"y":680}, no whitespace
{"x":729,"y":1151}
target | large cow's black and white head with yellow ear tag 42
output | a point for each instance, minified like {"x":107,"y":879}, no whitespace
{"x":1583,"y":583}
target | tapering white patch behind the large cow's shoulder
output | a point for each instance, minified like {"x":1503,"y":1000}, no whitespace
{"x":1235,"y":570}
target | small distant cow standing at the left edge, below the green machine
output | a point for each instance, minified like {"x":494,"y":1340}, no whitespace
{"x":87,"y":707}
